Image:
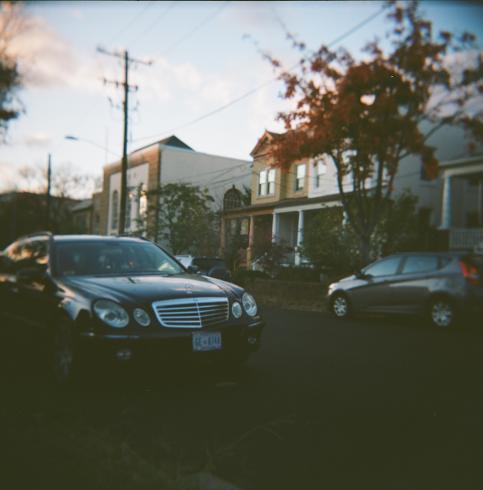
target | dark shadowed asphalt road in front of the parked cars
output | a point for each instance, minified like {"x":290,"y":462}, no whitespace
{"x":371,"y":403}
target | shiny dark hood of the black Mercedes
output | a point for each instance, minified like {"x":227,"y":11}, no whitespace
{"x":146,"y":288}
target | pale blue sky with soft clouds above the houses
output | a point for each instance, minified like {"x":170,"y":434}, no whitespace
{"x":204,"y":55}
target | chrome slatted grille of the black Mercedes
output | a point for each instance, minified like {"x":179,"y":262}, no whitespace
{"x":191,"y":312}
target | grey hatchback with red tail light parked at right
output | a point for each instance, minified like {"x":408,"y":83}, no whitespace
{"x":442,"y":286}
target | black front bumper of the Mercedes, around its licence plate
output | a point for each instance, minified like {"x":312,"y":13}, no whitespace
{"x":168,"y":343}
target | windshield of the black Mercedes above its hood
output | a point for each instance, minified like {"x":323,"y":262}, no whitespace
{"x":107,"y":258}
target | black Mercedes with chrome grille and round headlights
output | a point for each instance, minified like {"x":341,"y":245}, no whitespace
{"x":121,"y":298}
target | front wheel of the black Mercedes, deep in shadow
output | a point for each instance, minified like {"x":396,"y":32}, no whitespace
{"x":62,"y":356}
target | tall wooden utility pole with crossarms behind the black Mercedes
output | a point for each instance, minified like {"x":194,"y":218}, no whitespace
{"x":124,"y":55}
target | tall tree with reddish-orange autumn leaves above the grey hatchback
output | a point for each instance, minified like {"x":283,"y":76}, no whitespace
{"x":366,"y":115}
